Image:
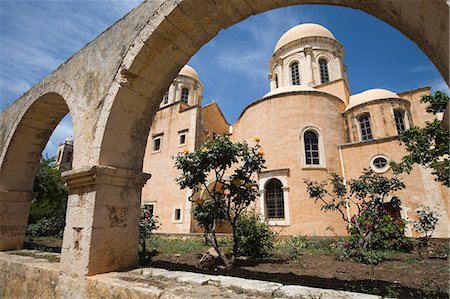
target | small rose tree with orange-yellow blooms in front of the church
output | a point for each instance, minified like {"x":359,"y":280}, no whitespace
{"x":230,"y":195}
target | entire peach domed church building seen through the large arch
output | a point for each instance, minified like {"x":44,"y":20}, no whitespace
{"x":309,"y":125}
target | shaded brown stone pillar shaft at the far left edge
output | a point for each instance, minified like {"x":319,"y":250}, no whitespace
{"x":14,"y":211}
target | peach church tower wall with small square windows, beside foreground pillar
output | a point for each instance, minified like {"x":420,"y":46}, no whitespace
{"x":161,"y":189}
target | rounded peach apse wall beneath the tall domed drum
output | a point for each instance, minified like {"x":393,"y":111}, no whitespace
{"x":279,"y":123}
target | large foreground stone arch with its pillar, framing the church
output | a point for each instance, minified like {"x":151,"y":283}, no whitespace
{"x":108,"y":191}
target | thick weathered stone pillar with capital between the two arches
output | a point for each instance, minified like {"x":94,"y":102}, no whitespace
{"x":103,"y":209}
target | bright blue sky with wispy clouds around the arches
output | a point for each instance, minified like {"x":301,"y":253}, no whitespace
{"x":36,"y":36}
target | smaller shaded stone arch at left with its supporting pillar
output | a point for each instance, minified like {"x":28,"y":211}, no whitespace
{"x":19,"y":162}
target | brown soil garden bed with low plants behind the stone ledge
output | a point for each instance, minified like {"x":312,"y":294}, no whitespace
{"x":402,"y":275}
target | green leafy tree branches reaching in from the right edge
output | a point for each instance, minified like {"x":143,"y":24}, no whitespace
{"x":428,"y":146}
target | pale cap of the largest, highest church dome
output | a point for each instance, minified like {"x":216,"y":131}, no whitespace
{"x":303,"y":30}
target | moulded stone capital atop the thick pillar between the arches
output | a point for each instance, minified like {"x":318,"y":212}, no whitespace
{"x":104,"y":175}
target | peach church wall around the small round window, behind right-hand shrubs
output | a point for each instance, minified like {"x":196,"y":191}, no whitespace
{"x":421,"y":189}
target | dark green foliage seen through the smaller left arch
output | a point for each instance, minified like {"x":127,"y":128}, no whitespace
{"x":48,"y":208}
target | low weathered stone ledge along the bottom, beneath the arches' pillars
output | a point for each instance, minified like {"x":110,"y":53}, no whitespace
{"x":34,"y":277}
